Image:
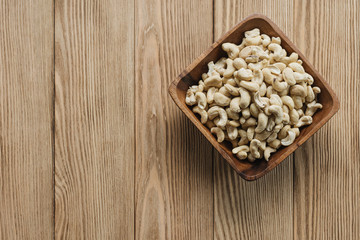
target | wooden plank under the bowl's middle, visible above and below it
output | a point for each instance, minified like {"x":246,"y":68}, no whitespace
{"x":261,"y":209}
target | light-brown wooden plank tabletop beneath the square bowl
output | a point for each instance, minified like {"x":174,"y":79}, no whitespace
{"x":92,"y":146}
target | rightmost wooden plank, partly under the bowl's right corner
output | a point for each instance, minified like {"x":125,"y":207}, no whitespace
{"x":326,"y":171}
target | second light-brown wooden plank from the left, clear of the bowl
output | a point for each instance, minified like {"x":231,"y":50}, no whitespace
{"x":94,"y":130}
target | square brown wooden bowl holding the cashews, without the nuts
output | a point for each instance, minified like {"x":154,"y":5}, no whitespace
{"x":192,"y":74}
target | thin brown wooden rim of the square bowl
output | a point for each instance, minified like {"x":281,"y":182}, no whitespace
{"x":205,"y":131}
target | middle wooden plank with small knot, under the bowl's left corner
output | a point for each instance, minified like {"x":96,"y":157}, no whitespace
{"x":174,"y":187}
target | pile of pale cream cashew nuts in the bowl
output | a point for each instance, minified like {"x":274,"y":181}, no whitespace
{"x":257,"y":98}
